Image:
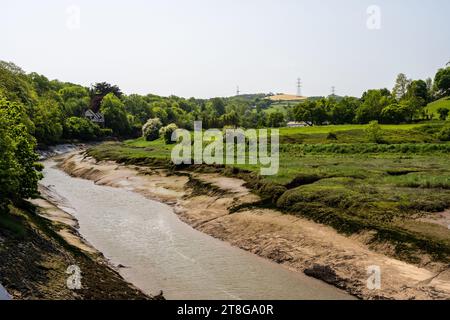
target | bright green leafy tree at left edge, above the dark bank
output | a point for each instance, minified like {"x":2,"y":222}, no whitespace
{"x":19,"y":170}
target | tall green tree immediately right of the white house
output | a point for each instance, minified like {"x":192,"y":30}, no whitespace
{"x":115,"y":115}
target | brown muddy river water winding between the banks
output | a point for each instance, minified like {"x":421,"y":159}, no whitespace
{"x":162,"y":253}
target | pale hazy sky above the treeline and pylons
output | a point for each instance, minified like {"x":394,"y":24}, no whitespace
{"x":199,"y":48}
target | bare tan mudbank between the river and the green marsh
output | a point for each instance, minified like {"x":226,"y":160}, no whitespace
{"x":204,"y":201}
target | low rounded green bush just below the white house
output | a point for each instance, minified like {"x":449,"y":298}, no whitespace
{"x":82,"y":129}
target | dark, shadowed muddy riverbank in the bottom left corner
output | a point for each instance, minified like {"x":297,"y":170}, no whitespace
{"x":35,"y":260}
